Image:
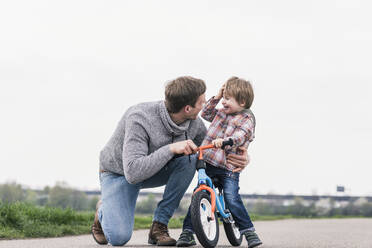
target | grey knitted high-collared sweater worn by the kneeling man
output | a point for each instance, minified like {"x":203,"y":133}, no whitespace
{"x":139,"y":147}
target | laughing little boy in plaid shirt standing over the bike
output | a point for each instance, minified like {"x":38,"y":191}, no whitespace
{"x":234,"y":121}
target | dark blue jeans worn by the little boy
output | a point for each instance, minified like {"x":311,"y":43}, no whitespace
{"x":233,"y":201}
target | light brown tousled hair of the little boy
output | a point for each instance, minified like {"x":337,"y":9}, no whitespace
{"x":241,"y":90}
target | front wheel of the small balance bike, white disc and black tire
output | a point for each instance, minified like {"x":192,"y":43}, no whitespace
{"x":206,"y":228}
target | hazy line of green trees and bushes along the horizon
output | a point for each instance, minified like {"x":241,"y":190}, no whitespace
{"x":63,"y":196}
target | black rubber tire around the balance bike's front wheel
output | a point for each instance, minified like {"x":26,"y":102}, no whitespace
{"x":196,"y":222}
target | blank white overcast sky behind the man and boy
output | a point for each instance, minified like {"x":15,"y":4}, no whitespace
{"x":69,"y":70}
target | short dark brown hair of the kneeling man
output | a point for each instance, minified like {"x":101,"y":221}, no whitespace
{"x":183,"y":91}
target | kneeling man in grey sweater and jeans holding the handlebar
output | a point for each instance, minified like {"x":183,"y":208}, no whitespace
{"x":142,"y":153}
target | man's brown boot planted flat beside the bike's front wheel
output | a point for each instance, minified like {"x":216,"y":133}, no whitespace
{"x":159,"y":235}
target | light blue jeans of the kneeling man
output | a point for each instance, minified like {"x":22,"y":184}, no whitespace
{"x":119,"y":197}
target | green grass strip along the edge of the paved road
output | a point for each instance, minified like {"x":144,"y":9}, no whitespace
{"x":22,"y":220}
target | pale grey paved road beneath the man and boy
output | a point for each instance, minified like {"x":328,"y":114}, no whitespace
{"x":325,"y":233}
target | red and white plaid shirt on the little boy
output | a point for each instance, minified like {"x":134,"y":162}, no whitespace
{"x":239,"y":126}
